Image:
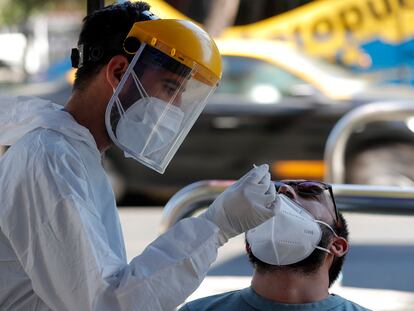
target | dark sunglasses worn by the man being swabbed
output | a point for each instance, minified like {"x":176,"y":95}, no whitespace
{"x":310,"y":188}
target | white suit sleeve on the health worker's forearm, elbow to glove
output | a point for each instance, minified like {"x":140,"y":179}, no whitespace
{"x":171,"y":267}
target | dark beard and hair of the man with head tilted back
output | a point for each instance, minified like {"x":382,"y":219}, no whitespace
{"x":313,"y":262}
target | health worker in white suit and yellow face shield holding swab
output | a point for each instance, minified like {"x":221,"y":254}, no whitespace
{"x":141,"y":83}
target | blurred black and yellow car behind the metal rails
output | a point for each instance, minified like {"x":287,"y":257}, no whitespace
{"x":274,"y":105}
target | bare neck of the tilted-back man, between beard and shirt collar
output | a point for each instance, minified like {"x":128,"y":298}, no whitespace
{"x":291,"y":287}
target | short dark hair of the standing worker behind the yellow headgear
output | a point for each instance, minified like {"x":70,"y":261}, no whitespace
{"x":103,"y":33}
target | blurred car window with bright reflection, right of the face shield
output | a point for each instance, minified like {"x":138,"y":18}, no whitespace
{"x":256,"y":79}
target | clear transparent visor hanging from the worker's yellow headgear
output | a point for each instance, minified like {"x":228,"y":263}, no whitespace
{"x":155,"y":105}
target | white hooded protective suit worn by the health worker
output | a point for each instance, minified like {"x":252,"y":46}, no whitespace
{"x":61,"y":245}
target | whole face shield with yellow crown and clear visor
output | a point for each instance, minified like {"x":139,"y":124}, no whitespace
{"x":163,"y":91}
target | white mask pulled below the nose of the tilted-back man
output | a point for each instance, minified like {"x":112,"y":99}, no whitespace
{"x":288,"y":237}
